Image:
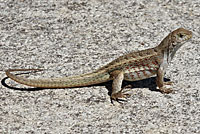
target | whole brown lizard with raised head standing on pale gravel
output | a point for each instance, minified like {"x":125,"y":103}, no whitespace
{"x":131,"y":67}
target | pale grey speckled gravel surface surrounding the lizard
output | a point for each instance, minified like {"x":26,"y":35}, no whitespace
{"x":73,"y":37}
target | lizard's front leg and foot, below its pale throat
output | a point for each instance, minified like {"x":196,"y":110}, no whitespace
{"x":160,"y":81}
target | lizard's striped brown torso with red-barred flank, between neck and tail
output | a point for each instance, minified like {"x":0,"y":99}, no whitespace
{"x":136,"y":65}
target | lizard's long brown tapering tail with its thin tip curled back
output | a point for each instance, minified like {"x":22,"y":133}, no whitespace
{"x":71,"y":81}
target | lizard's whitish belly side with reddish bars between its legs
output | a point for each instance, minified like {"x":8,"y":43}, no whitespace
{"x":133,"y":75}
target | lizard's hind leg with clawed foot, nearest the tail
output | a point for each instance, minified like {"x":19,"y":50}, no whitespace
{"x":117,"y":91}
